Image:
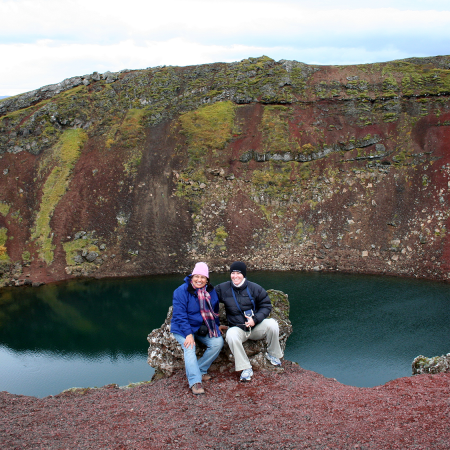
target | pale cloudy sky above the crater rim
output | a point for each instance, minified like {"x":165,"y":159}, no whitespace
{"x":45,"y":41}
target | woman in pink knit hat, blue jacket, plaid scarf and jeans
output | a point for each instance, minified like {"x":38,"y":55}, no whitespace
{"x":196,"y":317}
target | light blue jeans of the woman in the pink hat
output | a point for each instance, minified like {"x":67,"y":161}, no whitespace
{"x":195,"y":369}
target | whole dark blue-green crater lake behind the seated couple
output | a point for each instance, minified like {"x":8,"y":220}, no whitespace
{"x":361,"y":330}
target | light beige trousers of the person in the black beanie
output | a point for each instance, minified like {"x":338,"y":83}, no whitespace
{"x":235,"y":337}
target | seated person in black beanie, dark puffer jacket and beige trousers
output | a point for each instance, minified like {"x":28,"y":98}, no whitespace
{"x":247,"y":306}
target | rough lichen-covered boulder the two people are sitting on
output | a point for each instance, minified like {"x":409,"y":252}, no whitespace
{"x":165,"y":354}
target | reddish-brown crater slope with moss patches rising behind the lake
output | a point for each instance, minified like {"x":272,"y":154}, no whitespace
{"x":280,"y":164}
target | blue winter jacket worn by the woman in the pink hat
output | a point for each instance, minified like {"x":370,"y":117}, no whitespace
{"x":186,"y":317}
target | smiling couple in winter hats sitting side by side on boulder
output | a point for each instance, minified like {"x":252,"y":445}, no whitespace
{"x":196,"y":317}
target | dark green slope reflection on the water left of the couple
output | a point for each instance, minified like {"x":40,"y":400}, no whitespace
{"x":84,"y":317}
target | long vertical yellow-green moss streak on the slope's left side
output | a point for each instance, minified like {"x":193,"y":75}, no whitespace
{"x":65,"y":152}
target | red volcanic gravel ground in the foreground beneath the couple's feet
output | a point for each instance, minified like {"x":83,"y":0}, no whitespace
{"x":290,"y":409}
